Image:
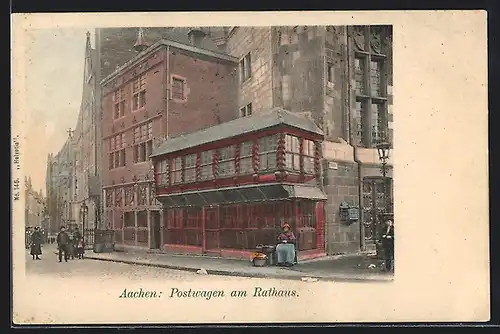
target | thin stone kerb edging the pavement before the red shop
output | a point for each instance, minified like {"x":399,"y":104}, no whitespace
{"x":250,"y":275}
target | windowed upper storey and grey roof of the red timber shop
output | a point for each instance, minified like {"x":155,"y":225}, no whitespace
{"x":266,"y":156}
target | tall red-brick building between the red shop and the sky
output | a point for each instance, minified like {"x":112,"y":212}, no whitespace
{"x":168,"y":89}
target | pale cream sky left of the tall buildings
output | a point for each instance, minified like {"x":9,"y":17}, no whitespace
{"x":54,"y":83}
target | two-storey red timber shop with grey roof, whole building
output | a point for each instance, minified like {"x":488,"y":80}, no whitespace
{"x":231,"y":187}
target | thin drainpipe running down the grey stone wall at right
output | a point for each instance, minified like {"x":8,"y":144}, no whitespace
{"x":347,"y":41}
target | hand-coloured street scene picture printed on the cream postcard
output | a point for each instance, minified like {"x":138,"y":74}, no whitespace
{"x":239,"y":151}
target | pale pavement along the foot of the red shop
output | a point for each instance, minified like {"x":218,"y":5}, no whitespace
{"x":345,"y":268}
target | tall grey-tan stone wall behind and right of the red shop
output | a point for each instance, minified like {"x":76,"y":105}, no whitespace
{"x":342,"y":77}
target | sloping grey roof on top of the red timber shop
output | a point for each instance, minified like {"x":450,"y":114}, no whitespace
{"x":249,"y":124}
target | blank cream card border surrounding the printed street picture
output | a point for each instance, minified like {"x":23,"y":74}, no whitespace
{"x":441,"y":187}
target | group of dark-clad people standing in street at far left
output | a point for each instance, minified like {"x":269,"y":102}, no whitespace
{"x":69,"y":246}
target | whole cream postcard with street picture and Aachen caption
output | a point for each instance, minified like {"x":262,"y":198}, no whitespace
{"x":237,"y":167}
